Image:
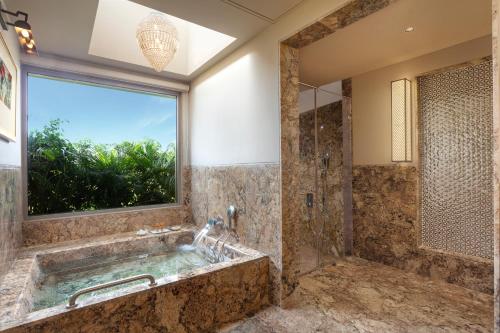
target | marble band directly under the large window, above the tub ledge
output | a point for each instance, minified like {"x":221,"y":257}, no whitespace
{"x":78,"y":226}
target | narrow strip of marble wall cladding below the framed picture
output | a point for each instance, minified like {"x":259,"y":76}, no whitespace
{"x":10,"y":215}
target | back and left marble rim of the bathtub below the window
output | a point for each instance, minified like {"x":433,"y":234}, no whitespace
{"x":17,"y":286}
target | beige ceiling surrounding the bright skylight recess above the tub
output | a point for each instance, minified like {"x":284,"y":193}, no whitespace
{"x":64,"y":27}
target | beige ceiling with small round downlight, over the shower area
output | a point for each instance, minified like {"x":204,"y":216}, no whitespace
{"x":379,"y":40}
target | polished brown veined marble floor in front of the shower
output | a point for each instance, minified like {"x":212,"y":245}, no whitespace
{"x":361,"y":296}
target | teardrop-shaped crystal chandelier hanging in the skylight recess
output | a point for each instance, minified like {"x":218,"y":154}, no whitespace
{"x":158,"y":40}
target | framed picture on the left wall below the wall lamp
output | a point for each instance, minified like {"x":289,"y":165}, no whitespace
{"x":8,"y":93}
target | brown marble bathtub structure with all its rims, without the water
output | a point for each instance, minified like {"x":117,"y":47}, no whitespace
{"x":198,"y":298}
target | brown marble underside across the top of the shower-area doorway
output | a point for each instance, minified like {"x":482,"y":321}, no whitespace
{"x":352,"y":12}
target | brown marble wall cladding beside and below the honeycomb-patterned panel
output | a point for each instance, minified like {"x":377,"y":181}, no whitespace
{"x":386,"y":229}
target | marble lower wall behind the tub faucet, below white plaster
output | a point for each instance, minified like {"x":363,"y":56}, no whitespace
{"x":254,"y":191}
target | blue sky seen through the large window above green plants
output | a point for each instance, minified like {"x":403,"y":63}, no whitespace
{"x":103,"y":115}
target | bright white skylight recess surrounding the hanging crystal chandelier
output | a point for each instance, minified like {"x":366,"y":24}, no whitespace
{"x":117,"y":20}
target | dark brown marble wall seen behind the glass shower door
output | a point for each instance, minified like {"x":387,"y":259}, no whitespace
{"x":330,"y":135}
